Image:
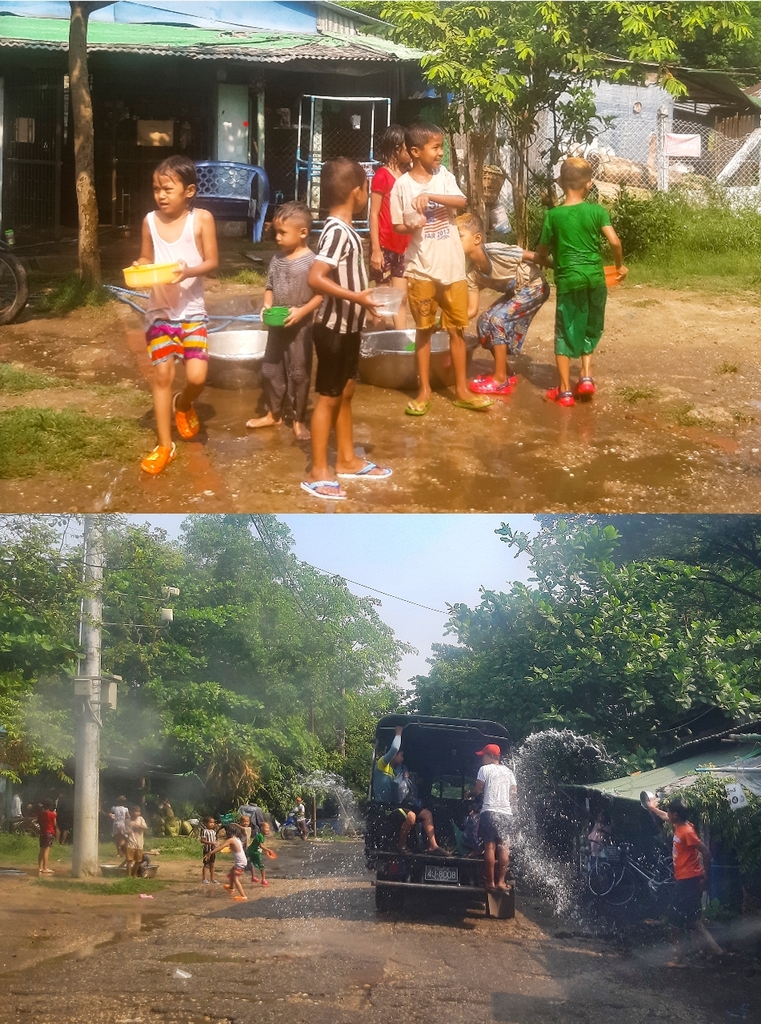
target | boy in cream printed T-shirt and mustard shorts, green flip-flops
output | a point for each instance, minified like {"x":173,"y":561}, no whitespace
{"x":425,"y":203}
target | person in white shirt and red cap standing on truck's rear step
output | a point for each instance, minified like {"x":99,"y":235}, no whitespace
{"x":497,"y":783}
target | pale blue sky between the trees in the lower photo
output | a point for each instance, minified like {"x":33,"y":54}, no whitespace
{"x":434,"y":561}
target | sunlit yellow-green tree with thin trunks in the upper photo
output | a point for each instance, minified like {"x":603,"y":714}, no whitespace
{"x":514,"y":62}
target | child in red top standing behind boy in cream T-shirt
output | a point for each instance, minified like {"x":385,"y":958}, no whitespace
{"x":388,"y":246}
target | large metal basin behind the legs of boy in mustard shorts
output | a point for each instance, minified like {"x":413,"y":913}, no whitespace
{"x":388,"y":359}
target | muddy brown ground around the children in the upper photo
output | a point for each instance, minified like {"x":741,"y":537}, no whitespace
{"x":677,"y":425}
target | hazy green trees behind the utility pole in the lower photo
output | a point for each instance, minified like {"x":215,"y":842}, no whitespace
{"x":267,"y":671}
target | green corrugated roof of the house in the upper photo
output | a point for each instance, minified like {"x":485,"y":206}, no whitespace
{"x":41,"y":33}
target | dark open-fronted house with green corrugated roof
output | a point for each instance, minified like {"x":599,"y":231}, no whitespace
{"x":227,"y":80}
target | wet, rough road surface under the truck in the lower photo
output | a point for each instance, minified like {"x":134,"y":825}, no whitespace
{"x":312,"y":949}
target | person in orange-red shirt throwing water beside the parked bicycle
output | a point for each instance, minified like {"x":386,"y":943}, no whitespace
{"x":692,"y":872}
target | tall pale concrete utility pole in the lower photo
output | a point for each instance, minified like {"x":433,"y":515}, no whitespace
{"x":88,"y":696}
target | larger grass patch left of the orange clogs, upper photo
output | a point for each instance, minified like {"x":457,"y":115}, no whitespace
{"x":37,"y":440}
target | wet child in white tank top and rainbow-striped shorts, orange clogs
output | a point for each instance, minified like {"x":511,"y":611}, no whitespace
{"x":175,"y":233}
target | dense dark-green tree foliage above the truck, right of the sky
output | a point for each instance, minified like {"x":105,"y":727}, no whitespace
{"x":633,"y":653}
